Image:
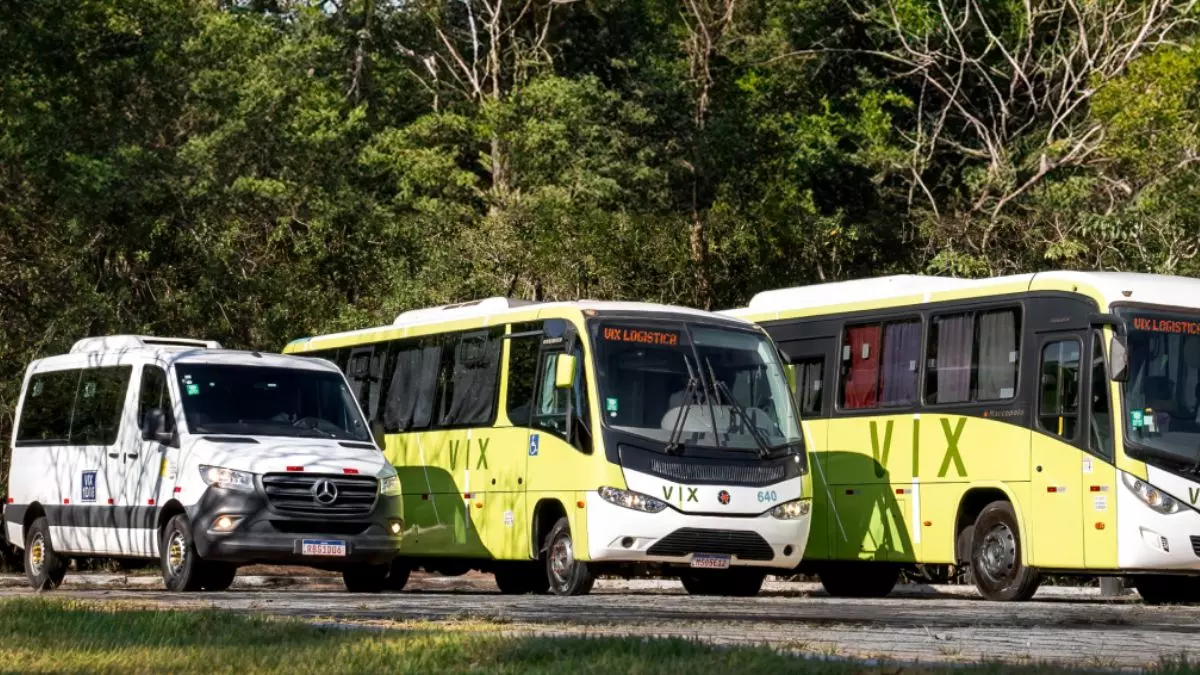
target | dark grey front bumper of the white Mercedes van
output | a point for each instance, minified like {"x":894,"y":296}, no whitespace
{"x":262,"y":535}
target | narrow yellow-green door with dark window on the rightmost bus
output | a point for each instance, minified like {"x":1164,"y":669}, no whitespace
{"x":1057,"y":525}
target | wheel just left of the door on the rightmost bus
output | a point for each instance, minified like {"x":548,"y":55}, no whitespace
{"x":997,"y":557}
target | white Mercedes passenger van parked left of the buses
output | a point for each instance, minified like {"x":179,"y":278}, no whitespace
{"x":205,"y":458}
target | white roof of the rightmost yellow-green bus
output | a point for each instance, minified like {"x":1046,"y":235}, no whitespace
{"x":1105,"y":288}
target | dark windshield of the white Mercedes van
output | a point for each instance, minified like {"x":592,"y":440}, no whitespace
{"x":269,"y":402}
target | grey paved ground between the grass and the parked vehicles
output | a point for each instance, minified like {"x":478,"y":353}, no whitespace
{"x":923,"y":624}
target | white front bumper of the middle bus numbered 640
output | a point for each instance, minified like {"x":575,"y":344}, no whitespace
{"x":673,"y":537}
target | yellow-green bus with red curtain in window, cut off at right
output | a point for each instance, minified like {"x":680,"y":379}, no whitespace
{"x":928,"y":399}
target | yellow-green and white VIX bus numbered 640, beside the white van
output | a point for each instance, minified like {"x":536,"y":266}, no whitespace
{"x":496,"y":437}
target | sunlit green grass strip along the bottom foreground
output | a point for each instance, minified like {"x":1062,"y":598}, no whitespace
{"x":44,"y":636}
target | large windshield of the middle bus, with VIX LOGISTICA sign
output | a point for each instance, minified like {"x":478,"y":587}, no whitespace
{"x":695,"y":386}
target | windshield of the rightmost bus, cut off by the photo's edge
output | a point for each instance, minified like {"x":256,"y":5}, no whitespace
{"x":1162,"y":395}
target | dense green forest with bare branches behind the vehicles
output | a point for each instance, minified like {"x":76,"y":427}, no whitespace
{"x":253,"y":171}
